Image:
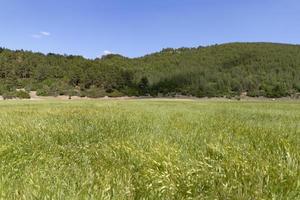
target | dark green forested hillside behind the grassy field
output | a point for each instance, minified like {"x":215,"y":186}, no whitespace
{"x":258,"y":69}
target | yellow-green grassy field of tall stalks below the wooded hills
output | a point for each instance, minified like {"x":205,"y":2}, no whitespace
{"x":143,"y":149}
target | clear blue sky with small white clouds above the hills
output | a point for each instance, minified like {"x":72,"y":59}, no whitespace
{"x":134,"y":28}
